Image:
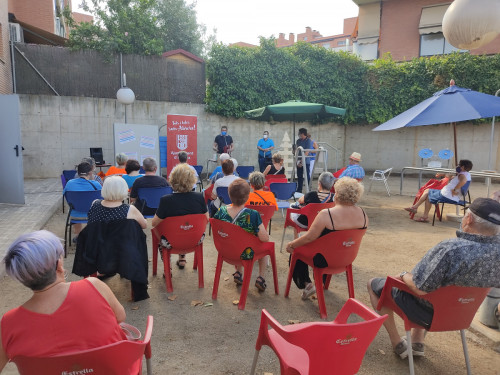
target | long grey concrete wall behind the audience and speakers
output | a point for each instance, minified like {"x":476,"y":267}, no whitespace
{"x":58,"y":131}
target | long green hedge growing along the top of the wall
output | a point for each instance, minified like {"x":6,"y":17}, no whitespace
{"x":246,"y":78}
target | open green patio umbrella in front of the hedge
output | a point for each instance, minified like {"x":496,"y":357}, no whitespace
{"x":294,"y":110}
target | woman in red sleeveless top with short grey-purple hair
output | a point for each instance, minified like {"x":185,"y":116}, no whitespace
{"x":60,"y":316}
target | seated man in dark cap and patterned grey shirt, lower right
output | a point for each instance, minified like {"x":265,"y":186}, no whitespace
{"x":470,"y":260}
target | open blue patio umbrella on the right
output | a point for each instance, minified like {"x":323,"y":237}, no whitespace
{"x":452,"y":104}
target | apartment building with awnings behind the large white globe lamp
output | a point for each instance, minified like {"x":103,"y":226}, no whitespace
{"x":405,"y":29}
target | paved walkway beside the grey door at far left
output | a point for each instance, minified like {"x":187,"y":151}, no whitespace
{"x":42,"y":197}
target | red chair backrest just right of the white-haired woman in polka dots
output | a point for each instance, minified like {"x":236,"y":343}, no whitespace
{"x":182,"y":232}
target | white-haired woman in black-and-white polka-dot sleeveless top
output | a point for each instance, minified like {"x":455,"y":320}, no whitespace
{"x":114,"y":191}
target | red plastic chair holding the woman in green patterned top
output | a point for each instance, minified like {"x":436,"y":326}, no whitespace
{"x":231,"y":241}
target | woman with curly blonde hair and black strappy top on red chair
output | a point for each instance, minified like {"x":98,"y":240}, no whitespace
{"x":345,"y":215}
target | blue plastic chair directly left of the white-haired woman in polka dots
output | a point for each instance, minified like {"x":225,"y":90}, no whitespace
{"x":79,"y":203}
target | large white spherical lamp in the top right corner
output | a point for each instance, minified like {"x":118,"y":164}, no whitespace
{"x":469,"y":24}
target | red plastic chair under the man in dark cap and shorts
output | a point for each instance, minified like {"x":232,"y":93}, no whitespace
{"x":454,"y":309}
